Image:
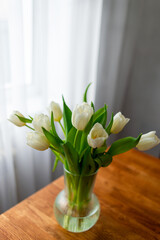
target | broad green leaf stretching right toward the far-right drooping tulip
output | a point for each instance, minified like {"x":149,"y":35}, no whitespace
{"x":123,"y":145}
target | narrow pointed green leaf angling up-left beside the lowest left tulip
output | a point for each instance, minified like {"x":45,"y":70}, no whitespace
{"x":53,"y":140}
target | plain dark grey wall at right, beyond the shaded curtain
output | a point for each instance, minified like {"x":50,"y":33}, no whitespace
{"x":142,"y":95}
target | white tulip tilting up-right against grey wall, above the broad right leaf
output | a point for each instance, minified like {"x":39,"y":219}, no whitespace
{"x":119,"y":122}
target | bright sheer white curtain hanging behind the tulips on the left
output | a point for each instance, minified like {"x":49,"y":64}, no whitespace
{"x":46,"y":49}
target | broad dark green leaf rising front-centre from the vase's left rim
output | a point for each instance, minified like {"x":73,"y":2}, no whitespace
{"x":72,"y":157}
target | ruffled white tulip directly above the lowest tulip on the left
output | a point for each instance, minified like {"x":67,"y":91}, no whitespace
{"x":41,"y":120}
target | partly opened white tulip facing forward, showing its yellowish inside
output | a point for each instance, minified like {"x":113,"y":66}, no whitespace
{"x":97,"y":136}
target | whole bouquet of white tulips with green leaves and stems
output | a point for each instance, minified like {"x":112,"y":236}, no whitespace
{"x":83,"y":149}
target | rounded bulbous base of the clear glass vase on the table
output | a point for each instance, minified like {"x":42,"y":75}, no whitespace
{"x":67,"y":219}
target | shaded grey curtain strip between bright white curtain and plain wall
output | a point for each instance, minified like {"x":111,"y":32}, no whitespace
{"x":112,"y":37}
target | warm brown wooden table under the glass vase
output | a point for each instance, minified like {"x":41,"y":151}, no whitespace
{"x":129,"y":194}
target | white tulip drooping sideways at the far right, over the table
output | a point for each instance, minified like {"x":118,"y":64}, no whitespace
{"x":148,"y":141}
